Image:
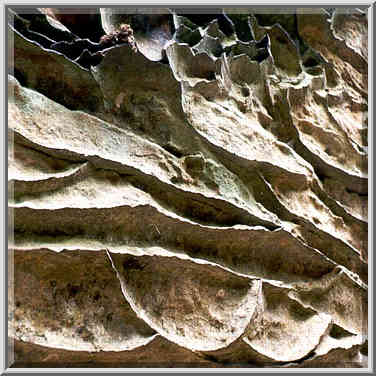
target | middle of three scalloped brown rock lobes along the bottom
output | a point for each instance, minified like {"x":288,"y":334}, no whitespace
{"x":172,"y":289}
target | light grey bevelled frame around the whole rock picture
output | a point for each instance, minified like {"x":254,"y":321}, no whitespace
{"x":208,"y":3}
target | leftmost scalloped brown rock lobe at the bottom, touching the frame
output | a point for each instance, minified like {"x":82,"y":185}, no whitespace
{"x":79,"y":305}
